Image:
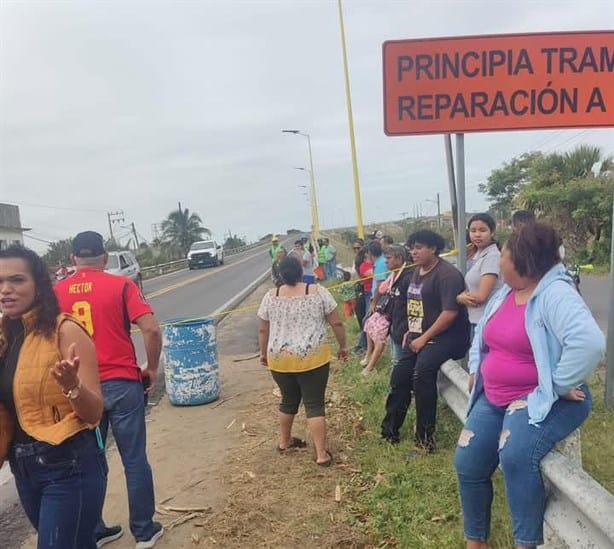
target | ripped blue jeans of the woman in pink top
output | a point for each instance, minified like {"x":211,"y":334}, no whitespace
{"x":499,"y":434}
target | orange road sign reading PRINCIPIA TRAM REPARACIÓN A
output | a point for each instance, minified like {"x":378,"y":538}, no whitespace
{"x":504,"y":82}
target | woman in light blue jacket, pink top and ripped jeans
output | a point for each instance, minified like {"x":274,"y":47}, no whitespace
{"x":533,"y":351}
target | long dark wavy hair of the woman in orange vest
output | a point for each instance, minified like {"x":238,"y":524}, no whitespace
{"x":45,"y":299}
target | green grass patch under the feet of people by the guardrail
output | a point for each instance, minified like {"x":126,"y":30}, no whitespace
{"x":408,"y":503}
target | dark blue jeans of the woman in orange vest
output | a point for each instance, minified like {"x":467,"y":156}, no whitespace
{"x":61,"y":489}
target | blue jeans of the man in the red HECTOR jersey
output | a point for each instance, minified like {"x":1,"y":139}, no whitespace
{"x":124,"y":411}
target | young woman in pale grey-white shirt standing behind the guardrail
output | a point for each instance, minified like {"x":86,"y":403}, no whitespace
{"x":482,"y":278}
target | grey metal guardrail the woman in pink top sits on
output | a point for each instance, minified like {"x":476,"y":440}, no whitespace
{"x":579,"y":511}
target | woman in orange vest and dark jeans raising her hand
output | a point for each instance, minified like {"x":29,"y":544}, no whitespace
{"x":50,"y":404}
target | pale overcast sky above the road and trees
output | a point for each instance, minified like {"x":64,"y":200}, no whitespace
{"x":134,"y":106}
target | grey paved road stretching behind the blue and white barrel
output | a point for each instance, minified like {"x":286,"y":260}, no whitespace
{"x":180,"y":294}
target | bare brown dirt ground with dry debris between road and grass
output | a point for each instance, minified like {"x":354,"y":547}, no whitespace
{"x":220,"y":481}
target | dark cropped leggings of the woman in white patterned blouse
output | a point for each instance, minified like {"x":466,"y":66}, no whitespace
{"x":309,"y":386}
